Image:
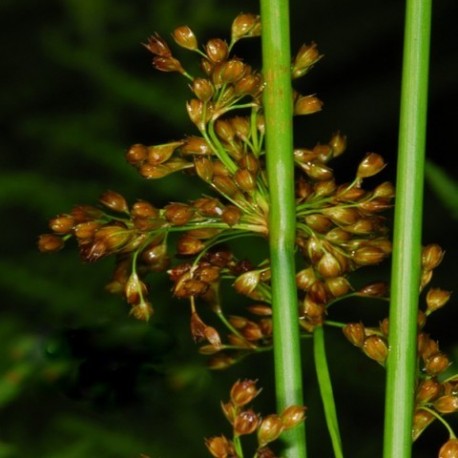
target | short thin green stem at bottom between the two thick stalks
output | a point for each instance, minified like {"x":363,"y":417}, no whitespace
{"x":327,"y":396}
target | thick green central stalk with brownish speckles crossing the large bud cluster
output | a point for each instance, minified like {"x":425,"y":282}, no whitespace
{"x":280,"y":169}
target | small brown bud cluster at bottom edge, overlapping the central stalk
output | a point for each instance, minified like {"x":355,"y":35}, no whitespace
{"x":246,"y":421}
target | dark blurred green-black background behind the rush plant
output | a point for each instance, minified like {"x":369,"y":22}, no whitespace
{"x":78,"y":377}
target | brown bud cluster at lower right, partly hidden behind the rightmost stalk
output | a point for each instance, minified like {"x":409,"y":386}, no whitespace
{"x":434,"y":396}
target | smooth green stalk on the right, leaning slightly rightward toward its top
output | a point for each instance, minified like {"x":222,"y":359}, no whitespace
{"x":401,"y":364}
